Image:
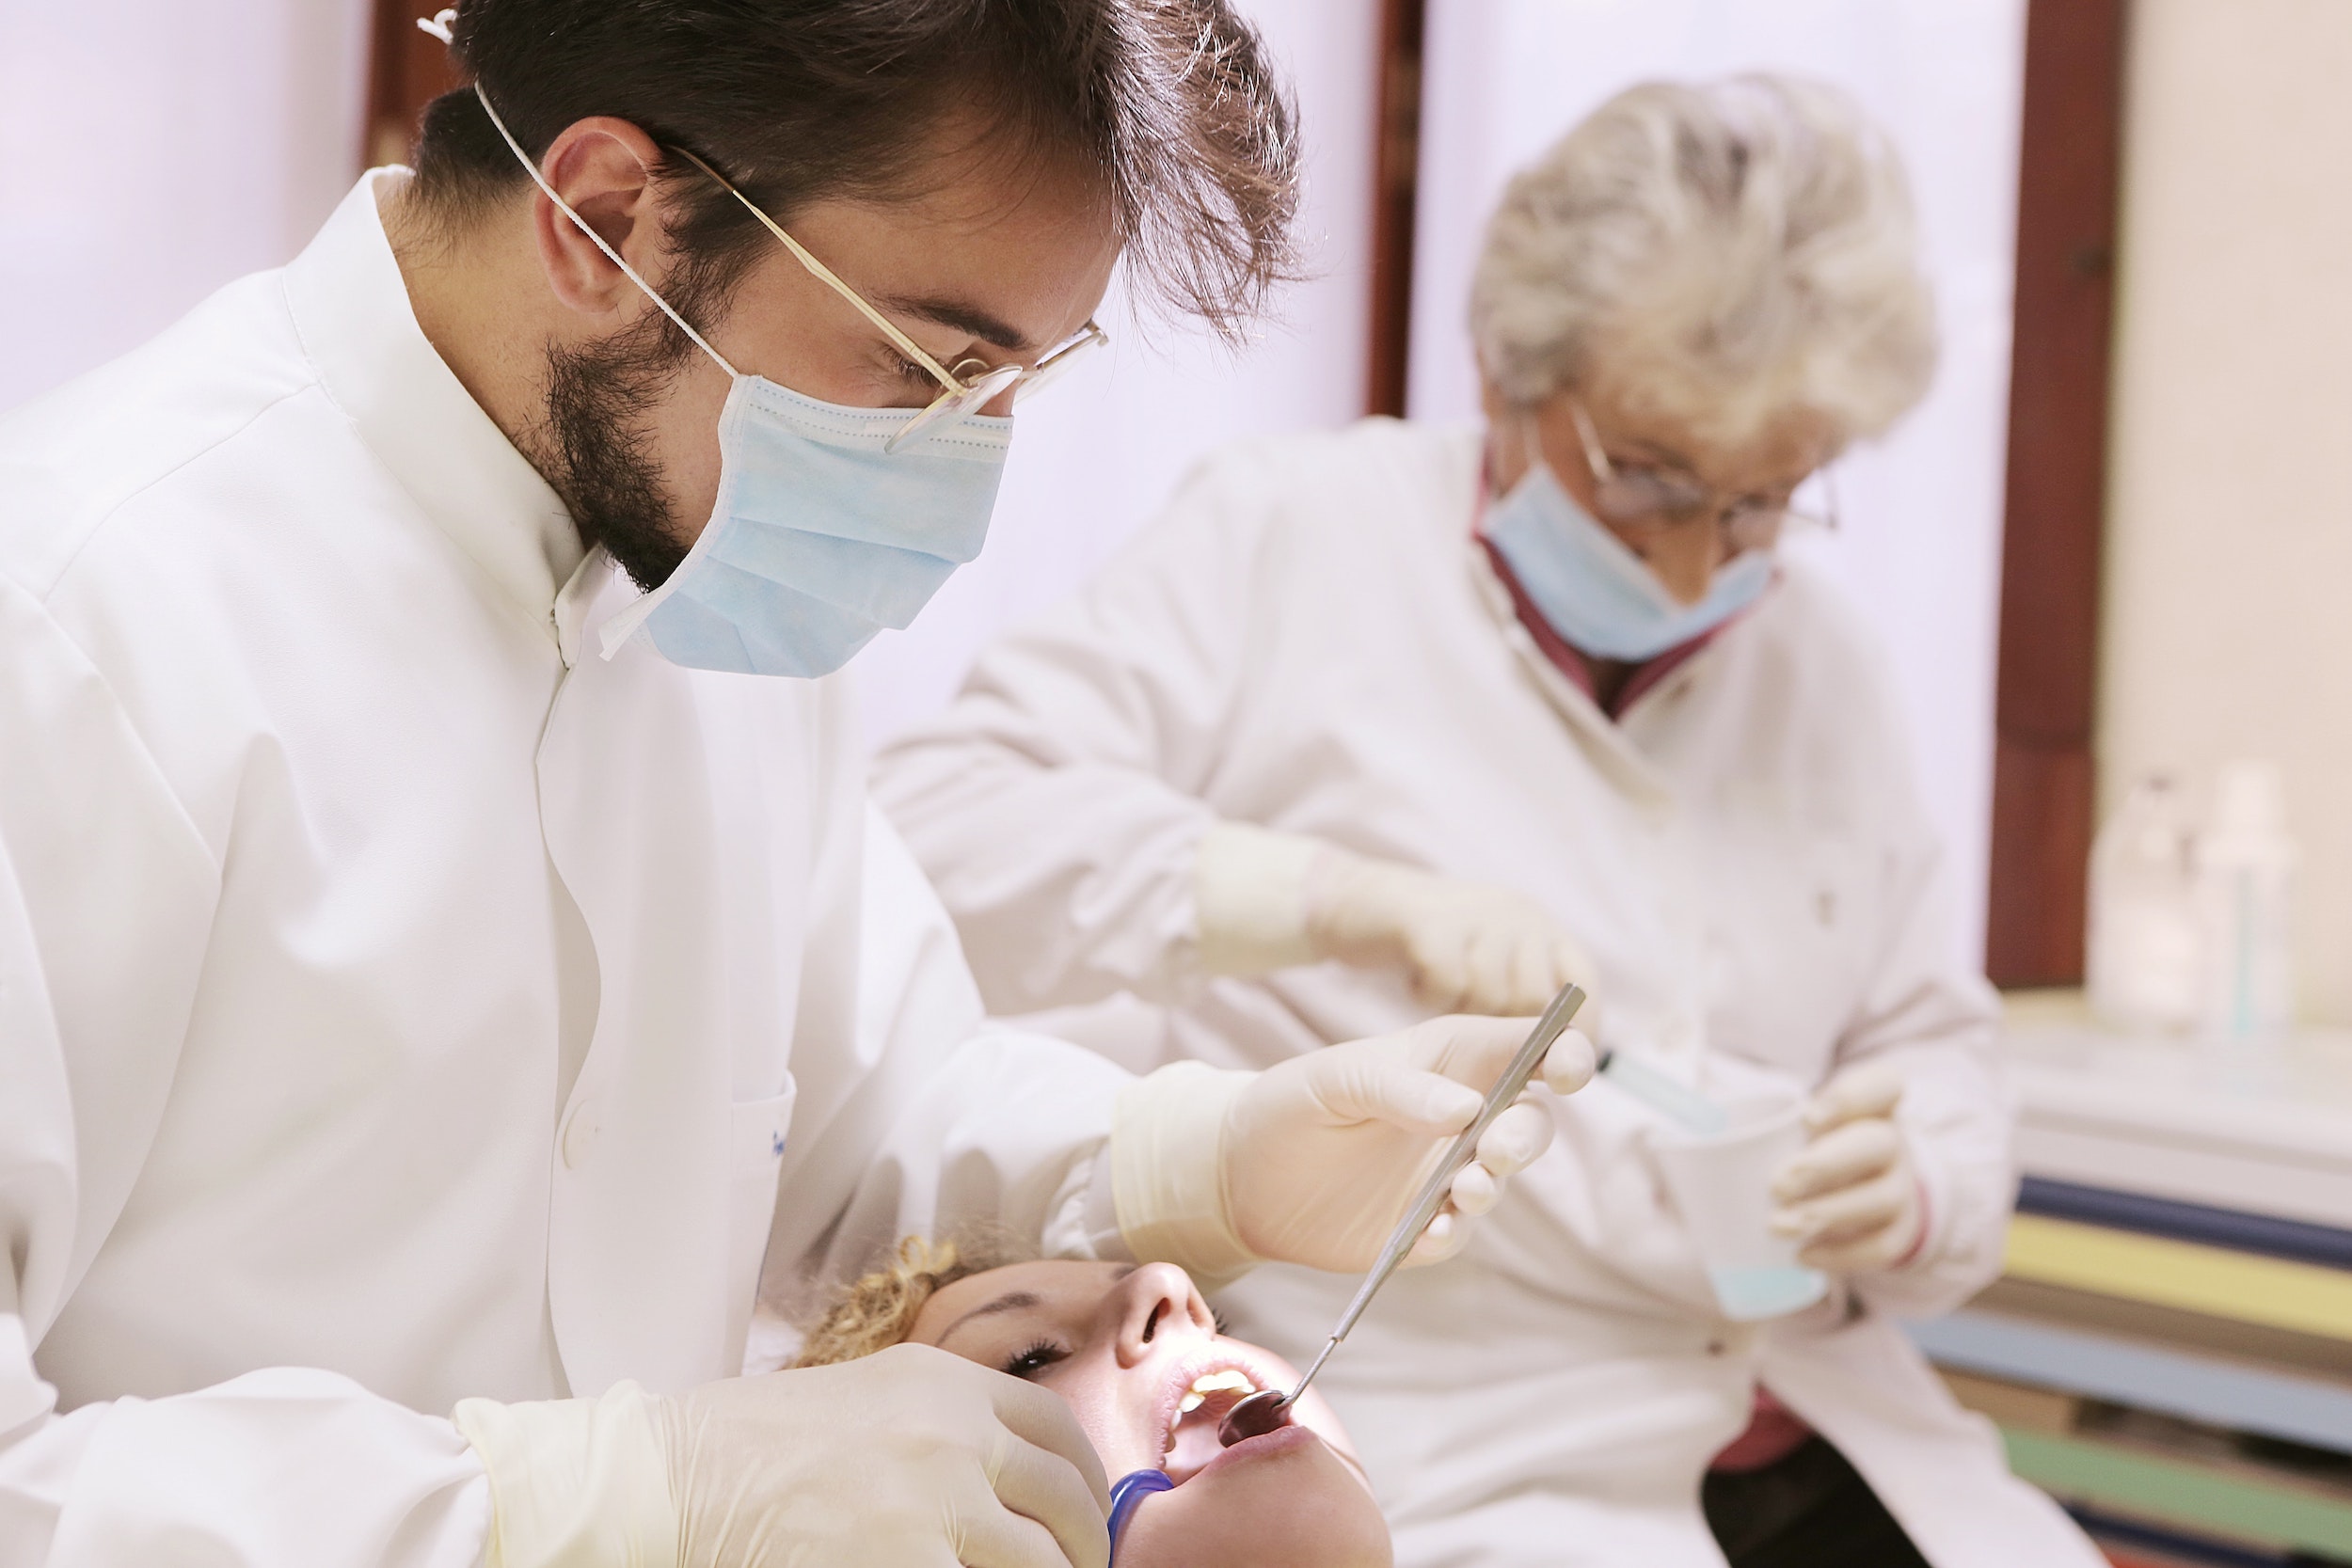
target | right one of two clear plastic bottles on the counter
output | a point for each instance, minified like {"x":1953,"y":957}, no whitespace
{"x":2245,"y":897}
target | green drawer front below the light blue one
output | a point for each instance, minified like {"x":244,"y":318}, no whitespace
{"x":2179,"y":1494}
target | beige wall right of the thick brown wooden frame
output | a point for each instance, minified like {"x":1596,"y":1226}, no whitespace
{"x":2229,"y":601}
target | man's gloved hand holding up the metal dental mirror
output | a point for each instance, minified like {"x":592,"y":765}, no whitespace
{"x":1318,"y":1158}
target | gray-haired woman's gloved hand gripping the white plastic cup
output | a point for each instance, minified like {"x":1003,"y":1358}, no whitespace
{"x":1852,"y":1198}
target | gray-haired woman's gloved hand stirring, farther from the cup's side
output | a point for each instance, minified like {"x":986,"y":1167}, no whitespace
{"x":1469,"y":949}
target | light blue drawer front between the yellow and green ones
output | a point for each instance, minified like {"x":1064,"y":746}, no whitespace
{"x":2167,"y":1381}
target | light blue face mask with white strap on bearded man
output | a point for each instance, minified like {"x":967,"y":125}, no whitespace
{"x":820,"y":535}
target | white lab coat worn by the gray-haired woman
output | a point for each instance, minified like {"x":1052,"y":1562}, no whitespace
{"x":1314,"y":643}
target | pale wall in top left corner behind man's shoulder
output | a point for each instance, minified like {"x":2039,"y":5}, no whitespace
{"x":149,"y":154}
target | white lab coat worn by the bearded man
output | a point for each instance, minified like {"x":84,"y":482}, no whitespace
{"x":399,"y":1000}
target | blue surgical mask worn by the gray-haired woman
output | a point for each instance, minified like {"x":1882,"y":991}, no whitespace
{"x":1598,"y":594}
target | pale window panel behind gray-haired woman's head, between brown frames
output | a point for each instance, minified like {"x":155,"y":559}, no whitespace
{"x":1923,"y":514}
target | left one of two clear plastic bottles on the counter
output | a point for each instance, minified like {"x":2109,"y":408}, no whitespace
{"x":2146,"y":939}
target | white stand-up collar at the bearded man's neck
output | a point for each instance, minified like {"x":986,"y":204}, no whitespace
{"x":354,"y":316}
